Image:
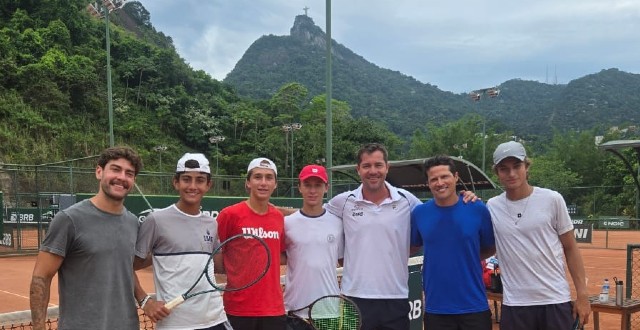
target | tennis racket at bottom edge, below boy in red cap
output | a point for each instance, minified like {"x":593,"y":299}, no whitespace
{"x":332,"y":312}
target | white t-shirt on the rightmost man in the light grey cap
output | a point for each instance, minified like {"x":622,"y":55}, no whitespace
{"x":529,"y":247}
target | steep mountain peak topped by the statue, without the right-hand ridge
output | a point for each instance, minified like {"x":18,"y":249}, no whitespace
{"x":389,"y":96}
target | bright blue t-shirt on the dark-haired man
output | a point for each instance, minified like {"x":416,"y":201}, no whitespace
{"x":452,"y":238}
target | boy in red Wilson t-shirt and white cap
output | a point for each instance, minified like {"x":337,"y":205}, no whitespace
{"x":261,"y":306}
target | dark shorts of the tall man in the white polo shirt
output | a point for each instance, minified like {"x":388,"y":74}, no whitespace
{"x":384,"y":314}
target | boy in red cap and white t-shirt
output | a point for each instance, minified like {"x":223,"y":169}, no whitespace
{"x":315,"y":244}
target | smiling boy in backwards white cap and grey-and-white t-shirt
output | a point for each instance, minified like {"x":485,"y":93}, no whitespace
{"x":178,"y":240}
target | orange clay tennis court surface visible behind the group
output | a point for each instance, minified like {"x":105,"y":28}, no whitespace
{"x":600,"y":263}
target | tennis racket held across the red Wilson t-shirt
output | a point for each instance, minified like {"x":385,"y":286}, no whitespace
{"x":246,"y":260}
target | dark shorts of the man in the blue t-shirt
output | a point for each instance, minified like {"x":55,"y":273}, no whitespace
{"x":470,"y":321}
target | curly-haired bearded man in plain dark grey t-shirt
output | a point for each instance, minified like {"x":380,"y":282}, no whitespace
{"x":91,"y":247}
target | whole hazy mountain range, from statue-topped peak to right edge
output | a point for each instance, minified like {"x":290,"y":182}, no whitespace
{"x":607,"y":98}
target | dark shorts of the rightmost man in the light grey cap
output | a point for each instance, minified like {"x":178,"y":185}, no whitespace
{"x":550,"y":317}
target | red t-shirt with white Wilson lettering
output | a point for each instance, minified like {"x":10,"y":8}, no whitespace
{"x":265,"y":297}
